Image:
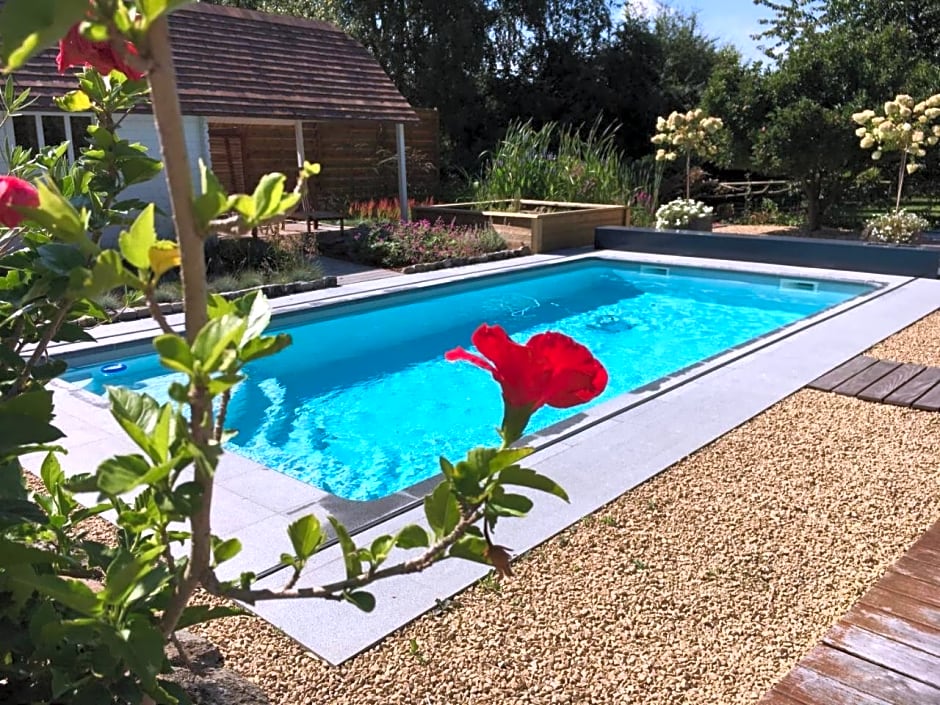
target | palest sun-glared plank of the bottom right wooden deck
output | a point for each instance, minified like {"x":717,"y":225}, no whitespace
{"x":882,"y":651}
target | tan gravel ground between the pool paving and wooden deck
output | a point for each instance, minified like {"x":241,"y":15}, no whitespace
{"x":705,"y":585}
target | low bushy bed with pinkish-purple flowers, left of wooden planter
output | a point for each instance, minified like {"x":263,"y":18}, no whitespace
{"x":402,"y":244}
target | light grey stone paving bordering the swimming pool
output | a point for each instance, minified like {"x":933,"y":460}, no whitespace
{"x":257,"y":504}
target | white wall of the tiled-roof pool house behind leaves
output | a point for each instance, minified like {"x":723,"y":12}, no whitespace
{"x":140,"y":128}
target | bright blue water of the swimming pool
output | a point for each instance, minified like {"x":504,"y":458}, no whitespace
{"x":363,"y":402}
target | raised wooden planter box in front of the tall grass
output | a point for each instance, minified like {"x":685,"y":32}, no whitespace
{"x":542,"y":226}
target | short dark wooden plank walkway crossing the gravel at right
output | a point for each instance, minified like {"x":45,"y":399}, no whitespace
{"x":877,"y":380}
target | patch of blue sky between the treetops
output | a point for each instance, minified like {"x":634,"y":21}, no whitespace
{"x":728,"y":21}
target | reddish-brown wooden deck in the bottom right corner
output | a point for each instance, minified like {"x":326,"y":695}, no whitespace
{"x":886,"y":650}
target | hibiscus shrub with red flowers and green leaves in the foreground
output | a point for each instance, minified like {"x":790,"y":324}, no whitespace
{"x":86,"y":623}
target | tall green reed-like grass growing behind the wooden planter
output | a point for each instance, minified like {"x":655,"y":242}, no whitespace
{"x":557,"y":163}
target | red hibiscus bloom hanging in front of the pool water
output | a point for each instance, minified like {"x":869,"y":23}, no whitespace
{"x":551,"y":369}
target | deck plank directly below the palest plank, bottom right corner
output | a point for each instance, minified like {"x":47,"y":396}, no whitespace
{"x":868,"y":678}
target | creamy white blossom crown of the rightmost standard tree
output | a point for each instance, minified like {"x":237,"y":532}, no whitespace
{"x":906,"y":126}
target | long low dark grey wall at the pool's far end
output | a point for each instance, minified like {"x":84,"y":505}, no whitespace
{"x":803,"y":252}
